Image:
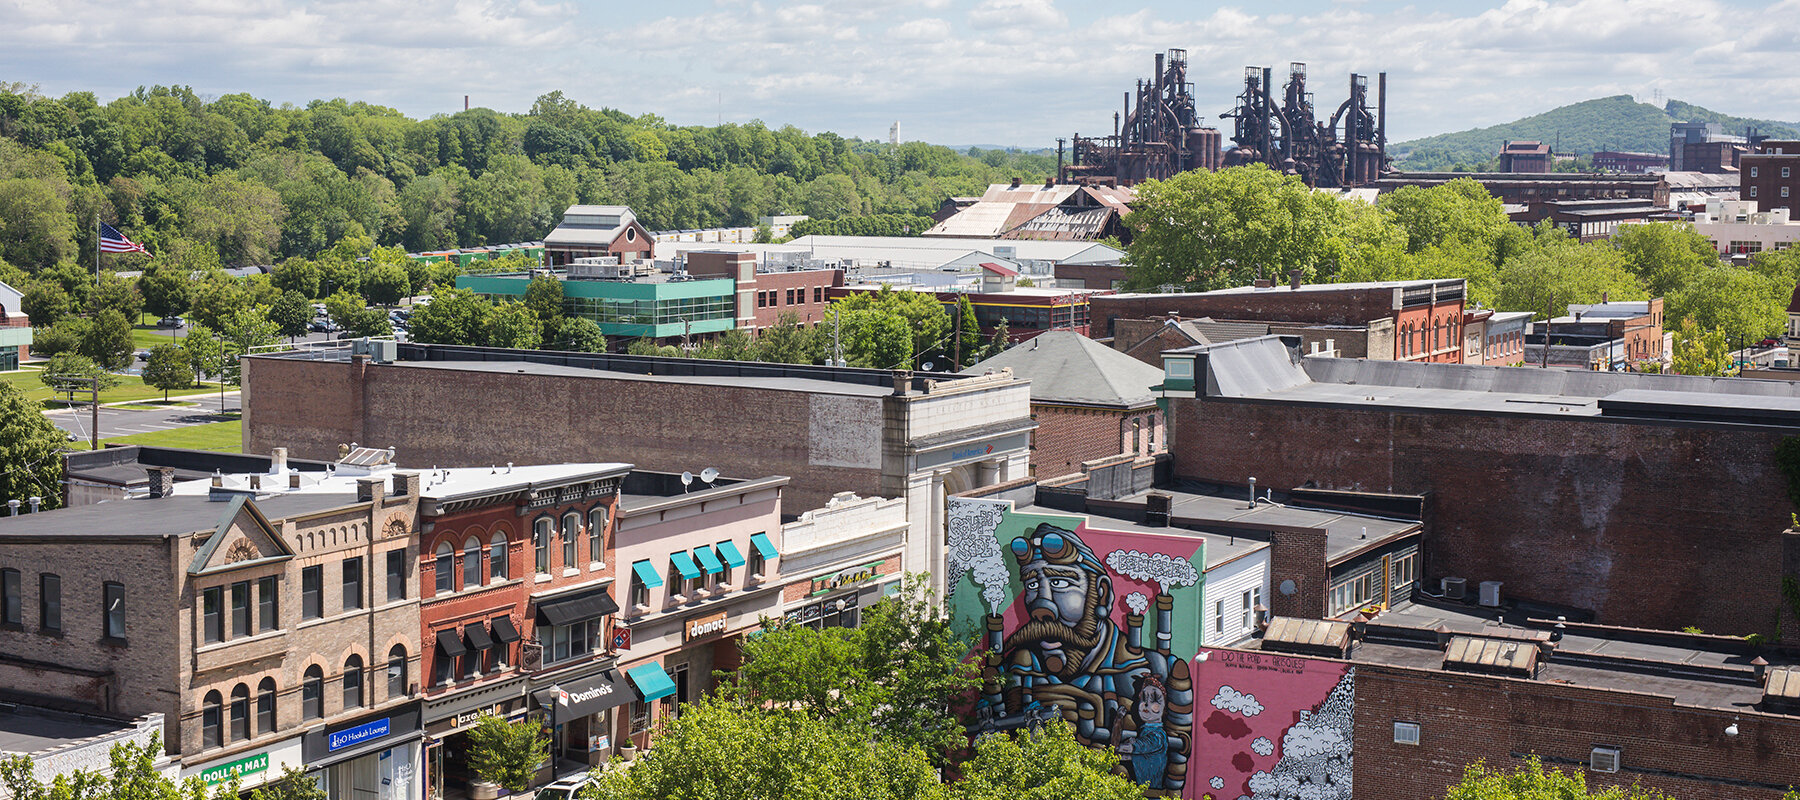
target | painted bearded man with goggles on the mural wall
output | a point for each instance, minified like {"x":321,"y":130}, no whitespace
{"x":1072,"y":659}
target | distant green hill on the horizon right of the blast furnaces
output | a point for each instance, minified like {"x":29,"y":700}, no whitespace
{"x":1605,"y":123}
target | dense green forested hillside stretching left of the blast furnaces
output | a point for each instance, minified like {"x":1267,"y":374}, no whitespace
{"x":264,"y":183}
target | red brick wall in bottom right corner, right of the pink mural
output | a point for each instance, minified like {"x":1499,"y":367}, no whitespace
{"x":1466,"y":718}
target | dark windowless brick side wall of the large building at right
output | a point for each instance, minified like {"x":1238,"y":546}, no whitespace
{"x":1646,"y":525}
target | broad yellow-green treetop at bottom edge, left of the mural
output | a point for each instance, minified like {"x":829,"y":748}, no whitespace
{"x":719,"y":750}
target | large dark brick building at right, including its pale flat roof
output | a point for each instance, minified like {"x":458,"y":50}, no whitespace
{"x":1579,"y":491}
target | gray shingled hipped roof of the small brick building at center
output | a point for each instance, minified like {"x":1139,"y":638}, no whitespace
{"x":1070,"y":368}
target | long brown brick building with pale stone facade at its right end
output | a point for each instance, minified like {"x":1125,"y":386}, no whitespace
{"x":831,"y":430}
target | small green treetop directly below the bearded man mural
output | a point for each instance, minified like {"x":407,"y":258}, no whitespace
{"x":1043,"y":765}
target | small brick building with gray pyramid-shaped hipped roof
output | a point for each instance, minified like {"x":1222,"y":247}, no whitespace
{"x":1090,"y":401}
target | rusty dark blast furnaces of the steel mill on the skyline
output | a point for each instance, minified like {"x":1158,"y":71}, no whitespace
{"x":1164,"y":136}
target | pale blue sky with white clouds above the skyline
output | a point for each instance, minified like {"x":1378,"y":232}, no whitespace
{"x":1018,"y":73}
